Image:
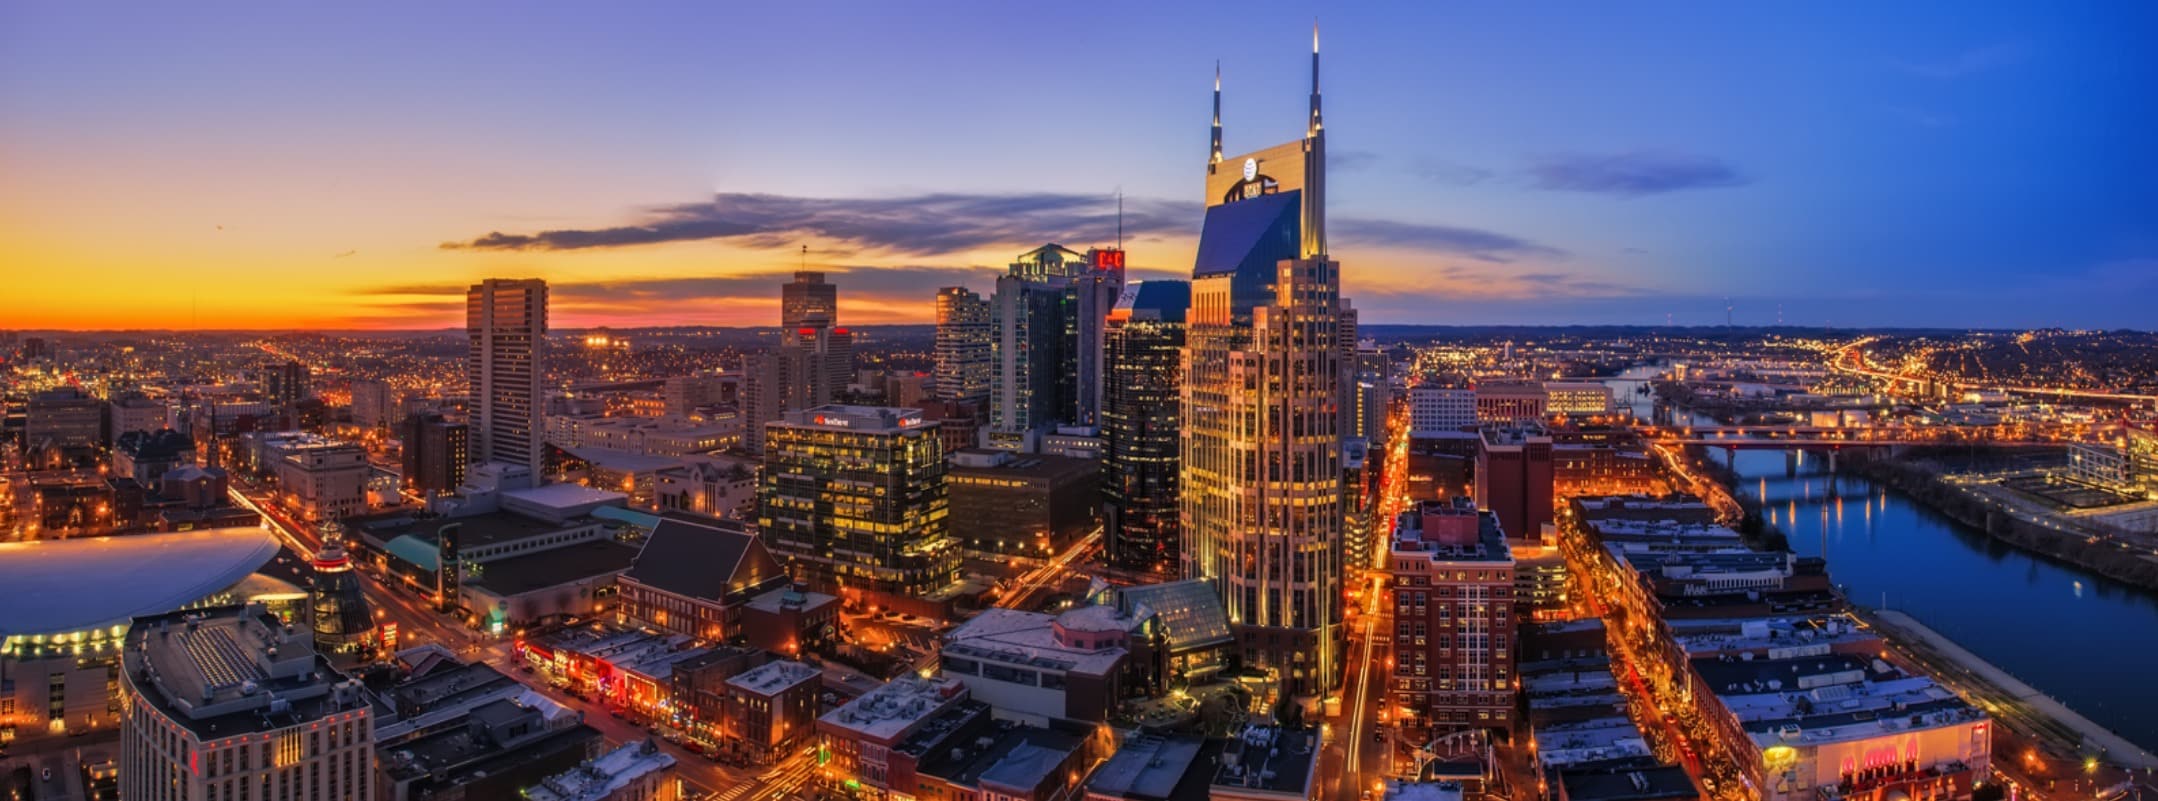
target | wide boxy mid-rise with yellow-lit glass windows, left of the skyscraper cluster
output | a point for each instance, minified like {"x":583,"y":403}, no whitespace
{"x":856,"y":500}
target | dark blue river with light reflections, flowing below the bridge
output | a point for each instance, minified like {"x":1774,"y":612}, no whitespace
{"x":2075,"y":636}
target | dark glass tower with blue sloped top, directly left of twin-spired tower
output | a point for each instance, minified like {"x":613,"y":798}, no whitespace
{"x":1141,"y":422}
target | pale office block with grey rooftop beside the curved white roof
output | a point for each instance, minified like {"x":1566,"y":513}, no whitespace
{"x":232,"y":703}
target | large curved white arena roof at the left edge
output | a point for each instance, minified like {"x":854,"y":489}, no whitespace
{"x":62,"y":586}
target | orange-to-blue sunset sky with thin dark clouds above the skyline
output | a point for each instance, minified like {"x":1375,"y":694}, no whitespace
{"x":357,"y":165}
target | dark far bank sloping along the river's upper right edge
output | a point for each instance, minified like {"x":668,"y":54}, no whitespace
{"x":1928,"y":487}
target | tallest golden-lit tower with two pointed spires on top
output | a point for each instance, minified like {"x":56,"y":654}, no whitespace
{"x":1261,"y":409}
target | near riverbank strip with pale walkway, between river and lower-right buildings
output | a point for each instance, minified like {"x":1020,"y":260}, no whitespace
{"x":2004,"y":694}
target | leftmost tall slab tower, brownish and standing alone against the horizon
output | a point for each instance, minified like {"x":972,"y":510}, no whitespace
{"x":506,"y":370}
